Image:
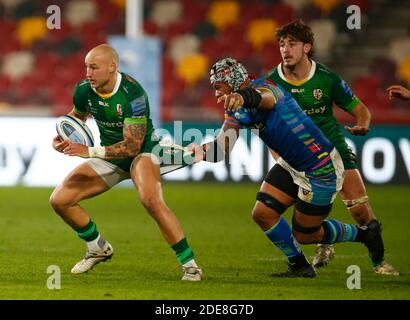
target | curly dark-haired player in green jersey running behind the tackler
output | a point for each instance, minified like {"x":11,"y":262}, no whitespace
{"x":315,"y":87}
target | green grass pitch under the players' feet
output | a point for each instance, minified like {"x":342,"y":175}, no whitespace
{"x":236,"y":257}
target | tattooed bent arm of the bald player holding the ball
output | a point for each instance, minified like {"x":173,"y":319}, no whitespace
{"x":134,"y":135}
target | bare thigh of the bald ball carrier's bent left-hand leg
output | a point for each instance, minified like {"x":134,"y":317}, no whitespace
{"x":81,"y":183}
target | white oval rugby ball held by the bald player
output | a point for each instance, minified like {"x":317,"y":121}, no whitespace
{"x":75,"y":130}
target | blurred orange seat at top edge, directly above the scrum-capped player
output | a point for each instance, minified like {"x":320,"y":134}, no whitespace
{"x":224,"y":13}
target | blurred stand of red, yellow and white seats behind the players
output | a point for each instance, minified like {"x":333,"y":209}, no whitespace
{"x":39,"y":67}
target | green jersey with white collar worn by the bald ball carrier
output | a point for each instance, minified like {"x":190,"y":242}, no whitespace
{"x":127,"y":104}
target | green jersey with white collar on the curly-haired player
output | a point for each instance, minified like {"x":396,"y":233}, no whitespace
{"x":315,"y":95}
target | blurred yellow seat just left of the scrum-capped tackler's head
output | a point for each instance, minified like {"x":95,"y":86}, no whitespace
{"x":193,"y":67}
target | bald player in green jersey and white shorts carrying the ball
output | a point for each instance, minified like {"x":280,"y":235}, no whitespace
{"x":120,"y":108}
